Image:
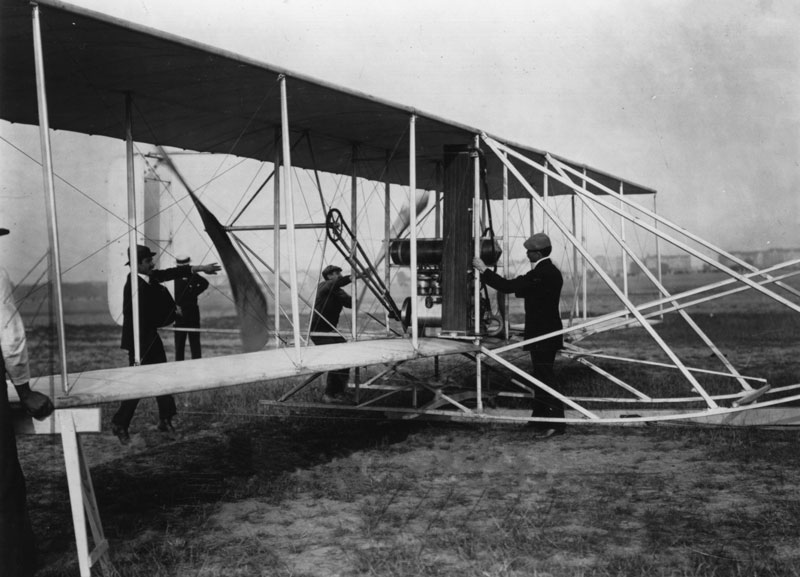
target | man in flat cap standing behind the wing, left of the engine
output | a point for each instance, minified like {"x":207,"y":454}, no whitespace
{"x":328,"y":305}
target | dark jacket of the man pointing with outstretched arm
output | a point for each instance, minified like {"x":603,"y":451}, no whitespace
{"x":150,"y":318}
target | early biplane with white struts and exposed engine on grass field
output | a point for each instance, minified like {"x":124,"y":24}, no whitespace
{"x":406,"y":199}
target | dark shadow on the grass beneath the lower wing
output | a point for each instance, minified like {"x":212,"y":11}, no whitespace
{"x":169,"y":488}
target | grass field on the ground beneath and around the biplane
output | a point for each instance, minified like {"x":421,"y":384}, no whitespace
{"x":239,"y":492}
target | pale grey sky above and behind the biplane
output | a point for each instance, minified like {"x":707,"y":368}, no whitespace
{"x":699,"y":100}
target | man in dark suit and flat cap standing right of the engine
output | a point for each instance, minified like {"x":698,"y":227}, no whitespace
{"x":541,"y":289}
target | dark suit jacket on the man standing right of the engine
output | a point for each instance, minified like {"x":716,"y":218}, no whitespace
{"x":541,"y":289}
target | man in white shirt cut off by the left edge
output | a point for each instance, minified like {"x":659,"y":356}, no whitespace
{"x":17,"y":544}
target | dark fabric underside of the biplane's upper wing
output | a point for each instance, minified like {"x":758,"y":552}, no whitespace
{"x":202,"y":98}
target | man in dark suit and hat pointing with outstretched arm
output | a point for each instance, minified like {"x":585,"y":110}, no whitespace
{"x":156,"y":309}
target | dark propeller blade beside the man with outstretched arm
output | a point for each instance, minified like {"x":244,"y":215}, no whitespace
{"x":251,"y":304}
